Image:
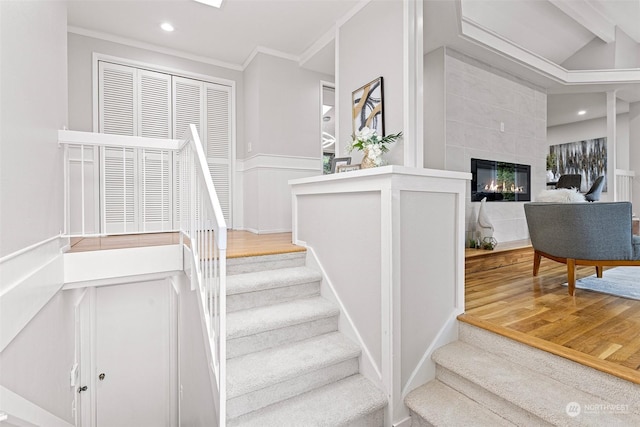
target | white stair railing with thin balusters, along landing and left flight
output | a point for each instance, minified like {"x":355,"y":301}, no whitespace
{"x":195,"y":210}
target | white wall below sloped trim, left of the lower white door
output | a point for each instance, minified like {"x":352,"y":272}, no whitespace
{"x":37,"y":363}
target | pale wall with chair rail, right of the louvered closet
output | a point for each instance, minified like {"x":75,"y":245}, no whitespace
{"x":283,"y":126}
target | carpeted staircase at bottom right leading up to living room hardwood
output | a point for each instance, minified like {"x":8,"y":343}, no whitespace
{"x":484,"y":379}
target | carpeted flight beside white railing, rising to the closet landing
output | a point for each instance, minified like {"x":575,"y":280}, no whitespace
{"x":287,"y":363}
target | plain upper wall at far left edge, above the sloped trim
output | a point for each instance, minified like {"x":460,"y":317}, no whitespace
{"x":33,"y":81}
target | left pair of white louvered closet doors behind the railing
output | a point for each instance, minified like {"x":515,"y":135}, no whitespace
{"x":137,"y":195}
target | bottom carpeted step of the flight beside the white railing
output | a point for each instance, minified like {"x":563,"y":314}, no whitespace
{"x":353,"y":402}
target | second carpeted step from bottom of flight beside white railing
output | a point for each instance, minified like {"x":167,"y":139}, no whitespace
{"x":260,"y":379}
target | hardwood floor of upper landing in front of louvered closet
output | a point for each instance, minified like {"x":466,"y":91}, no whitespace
{"x":239,"y":243}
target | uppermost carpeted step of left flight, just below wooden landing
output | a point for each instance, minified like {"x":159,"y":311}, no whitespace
{"x":249,"y":290}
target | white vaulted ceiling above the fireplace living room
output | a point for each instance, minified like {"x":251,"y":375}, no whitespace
{"x":541,"y":27}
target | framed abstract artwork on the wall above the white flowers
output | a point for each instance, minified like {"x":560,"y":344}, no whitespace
{"x":367,"y":107}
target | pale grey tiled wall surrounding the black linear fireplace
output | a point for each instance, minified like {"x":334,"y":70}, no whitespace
{"x":489,"y":115}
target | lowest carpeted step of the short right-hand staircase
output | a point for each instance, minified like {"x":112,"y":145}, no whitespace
{"x":436,"y":404}
